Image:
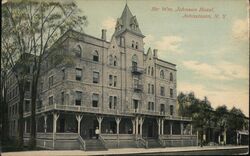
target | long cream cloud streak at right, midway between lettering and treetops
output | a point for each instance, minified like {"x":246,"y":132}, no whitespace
{"x":219,"y":71}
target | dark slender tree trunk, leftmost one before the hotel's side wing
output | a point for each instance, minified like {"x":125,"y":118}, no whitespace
{"x":20,"y":111}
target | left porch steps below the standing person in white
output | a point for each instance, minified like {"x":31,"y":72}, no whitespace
{"x":94,"y":145}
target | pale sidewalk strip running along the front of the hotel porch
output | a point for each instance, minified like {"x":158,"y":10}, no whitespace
{"x":124,"y":151}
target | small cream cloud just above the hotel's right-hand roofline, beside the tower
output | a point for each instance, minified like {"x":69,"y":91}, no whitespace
{"x":169,"y":43}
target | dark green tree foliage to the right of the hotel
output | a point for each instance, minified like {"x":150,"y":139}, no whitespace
{"x":204,"y":117}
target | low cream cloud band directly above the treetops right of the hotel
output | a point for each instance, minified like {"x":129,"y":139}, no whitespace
{"x":225,"y":95}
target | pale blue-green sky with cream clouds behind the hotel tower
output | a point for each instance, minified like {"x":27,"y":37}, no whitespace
{"x":208,"y":40}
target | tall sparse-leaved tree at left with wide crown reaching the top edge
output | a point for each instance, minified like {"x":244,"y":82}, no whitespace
{"x":35,"y":26}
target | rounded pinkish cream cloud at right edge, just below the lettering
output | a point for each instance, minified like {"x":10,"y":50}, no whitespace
{"x":240,"y":30}
